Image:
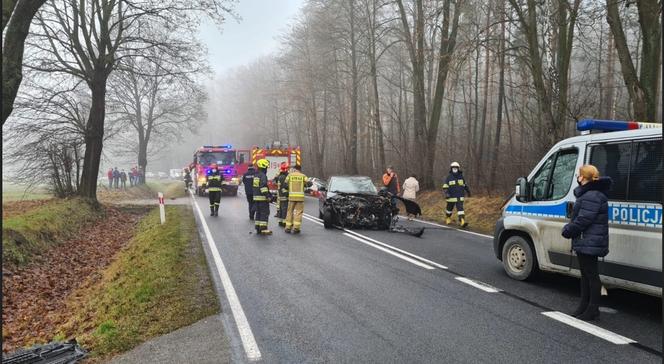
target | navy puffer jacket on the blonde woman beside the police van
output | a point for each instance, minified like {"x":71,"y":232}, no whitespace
{"x":589,"y":228}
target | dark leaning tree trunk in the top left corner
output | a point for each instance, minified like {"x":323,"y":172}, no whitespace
{"x":12,"y":50}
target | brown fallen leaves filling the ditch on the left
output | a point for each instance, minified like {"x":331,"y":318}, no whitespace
{"x":34,"y":295}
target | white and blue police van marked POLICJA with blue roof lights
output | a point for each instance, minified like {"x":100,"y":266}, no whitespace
{"x":528,"y":237}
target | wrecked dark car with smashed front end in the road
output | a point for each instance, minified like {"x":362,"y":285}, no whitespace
{"x":353,"y":202}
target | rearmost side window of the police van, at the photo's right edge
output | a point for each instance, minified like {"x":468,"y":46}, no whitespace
{"x":645,"y":178}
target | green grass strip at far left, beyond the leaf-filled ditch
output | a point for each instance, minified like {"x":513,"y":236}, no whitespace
{"x":32,"y":232}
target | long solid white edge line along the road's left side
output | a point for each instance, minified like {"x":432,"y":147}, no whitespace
{"x":246,"y":335}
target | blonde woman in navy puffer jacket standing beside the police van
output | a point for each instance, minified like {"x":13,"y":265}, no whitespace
{"x":589,"y":231}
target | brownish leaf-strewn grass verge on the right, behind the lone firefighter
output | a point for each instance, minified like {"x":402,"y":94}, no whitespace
{"x":481,"y":212}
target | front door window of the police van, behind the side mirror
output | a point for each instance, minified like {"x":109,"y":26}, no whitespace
{"x":553,"y":180}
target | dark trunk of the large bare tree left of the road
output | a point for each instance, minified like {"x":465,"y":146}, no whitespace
{"x":94,"y":136}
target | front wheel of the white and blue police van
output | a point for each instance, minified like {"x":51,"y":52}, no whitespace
{"x":519,"y":259}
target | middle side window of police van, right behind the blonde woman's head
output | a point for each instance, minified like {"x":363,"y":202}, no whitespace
{"x":613,"y":160}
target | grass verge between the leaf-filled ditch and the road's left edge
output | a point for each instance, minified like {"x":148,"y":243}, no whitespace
{"x":158,"y":283}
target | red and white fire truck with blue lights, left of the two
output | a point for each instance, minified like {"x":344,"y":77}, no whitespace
{"x":232,"y":164}
